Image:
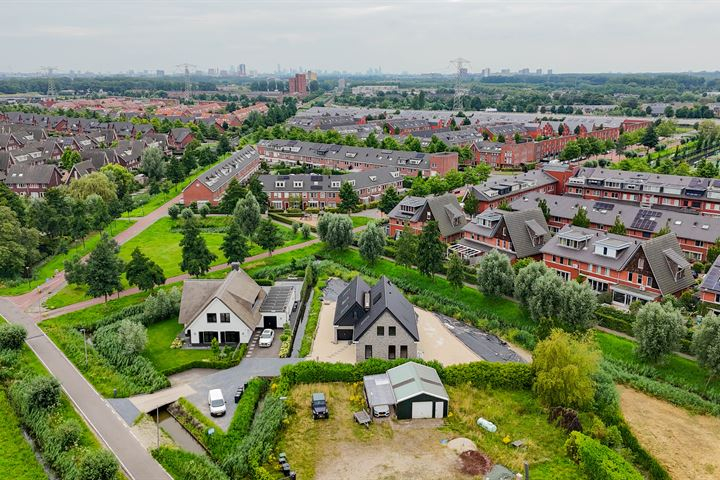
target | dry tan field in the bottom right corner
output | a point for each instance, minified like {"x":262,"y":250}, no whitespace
{"x":687,"y":445}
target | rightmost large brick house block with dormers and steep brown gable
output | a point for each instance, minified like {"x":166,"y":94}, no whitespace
{"x":629,"y":268}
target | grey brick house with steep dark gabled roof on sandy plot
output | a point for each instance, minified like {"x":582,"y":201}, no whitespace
{"x":378,"y":320}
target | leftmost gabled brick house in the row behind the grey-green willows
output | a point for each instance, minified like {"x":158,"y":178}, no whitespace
{"x":415,"y":212}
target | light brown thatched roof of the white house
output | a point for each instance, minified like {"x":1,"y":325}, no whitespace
{"x":238,"y":291}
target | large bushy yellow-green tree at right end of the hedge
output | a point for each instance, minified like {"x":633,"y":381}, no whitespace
{"x":564,"y":369}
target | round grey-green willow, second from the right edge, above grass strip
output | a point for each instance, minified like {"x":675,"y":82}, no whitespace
{"x":658,"y":328}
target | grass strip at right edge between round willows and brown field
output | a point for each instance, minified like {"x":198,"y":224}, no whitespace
{"x":673,"y":369}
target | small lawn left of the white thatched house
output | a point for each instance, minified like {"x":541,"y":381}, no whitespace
{"x":158,"y":350}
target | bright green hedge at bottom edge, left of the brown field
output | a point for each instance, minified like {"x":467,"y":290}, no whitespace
{"x":598,"y":461}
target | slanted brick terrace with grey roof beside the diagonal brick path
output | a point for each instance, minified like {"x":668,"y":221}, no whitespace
{"x":210,"y":186}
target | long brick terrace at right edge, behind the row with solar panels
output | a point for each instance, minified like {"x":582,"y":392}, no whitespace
{"x":649,"y":190}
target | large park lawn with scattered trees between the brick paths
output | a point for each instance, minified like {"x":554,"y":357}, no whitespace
{"x":161,"y":242}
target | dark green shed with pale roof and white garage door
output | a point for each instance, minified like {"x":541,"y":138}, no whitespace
{"x":418,"y":391}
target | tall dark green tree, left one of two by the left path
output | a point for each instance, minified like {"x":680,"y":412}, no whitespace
{"x":103,"y":268}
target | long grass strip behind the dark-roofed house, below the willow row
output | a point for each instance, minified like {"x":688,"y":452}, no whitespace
{"x":507,"y":310}
